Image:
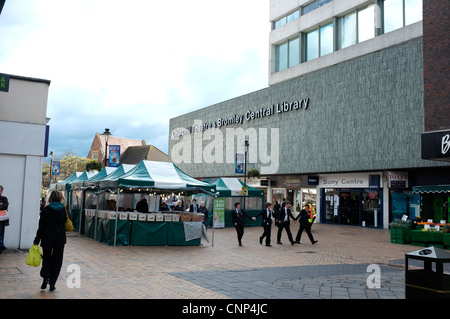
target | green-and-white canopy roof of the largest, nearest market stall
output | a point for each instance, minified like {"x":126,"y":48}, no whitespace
{"x":161,"y":176}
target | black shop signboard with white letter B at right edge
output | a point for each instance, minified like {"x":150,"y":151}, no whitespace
{"x":436,"y":145}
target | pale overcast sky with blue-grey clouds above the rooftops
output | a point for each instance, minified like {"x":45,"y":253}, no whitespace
{"x":132,"y":65}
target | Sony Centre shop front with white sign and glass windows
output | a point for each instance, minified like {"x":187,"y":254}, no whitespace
{"x":351,"y":199}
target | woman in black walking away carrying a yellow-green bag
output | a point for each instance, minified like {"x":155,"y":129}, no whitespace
{"x":51,"y":234}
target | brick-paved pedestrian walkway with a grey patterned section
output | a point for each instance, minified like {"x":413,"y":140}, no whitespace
{"x":335,"y":267}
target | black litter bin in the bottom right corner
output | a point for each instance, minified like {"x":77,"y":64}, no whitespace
{"x":431,"y":282}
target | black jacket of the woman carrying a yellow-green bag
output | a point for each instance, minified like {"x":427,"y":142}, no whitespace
{"x":51,"y":231}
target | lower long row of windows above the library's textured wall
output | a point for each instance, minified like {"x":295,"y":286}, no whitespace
{"x":355,"y":27}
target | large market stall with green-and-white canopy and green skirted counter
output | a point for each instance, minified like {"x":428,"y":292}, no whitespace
{"x":119,"y":224}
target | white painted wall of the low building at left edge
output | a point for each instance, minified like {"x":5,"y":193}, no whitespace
{"x":22,"y":144}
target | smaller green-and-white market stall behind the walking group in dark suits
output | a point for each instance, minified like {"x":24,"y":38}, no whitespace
{"x":229,"y":192}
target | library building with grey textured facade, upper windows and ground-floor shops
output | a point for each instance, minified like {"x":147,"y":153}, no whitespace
{"x":340,"y":124}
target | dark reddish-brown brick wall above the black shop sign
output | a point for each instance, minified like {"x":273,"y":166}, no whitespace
{"x":436,"y":64}
